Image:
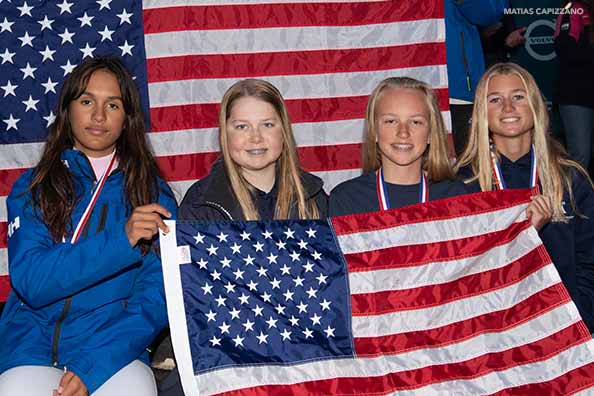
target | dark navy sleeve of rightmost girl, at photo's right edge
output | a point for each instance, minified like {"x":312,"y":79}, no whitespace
{"x":584,"y":245}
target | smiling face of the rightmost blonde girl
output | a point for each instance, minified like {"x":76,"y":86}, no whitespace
{"x":508,"y":111}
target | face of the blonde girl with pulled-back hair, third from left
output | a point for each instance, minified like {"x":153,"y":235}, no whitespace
{"x":402,"y":119}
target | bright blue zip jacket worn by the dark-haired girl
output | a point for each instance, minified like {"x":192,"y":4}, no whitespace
{"x":92,"y":307}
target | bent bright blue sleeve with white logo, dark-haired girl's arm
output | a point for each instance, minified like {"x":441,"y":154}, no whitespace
{"x":43,"y":272}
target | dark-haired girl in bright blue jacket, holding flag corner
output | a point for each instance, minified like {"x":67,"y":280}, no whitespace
{"x":87,"y":295}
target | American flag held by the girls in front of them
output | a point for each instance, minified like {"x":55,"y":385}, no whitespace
{"x":452,"y":297}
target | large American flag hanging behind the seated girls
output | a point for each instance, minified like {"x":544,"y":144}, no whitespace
{"x":325,"y":57}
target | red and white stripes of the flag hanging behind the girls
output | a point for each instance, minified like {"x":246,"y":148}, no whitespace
{"x":324,"y":56}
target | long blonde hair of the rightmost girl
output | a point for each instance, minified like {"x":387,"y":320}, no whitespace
{"x":554,"y":168}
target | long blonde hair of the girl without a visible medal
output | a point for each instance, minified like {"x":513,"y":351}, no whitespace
{"x":288,"y":171}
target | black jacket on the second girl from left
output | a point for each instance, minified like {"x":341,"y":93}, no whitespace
{"x":211,"y":198}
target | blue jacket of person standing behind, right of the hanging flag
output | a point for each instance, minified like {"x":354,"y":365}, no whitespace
{"x":464,"y":52}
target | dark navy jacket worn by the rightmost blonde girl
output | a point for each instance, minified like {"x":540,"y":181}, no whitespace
{"x":570,"y":245}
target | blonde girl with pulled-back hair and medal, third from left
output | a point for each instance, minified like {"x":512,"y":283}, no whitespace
{"x":405,"y":156}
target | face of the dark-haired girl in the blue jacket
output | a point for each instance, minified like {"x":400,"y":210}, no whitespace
{"x":97,"y":116}
